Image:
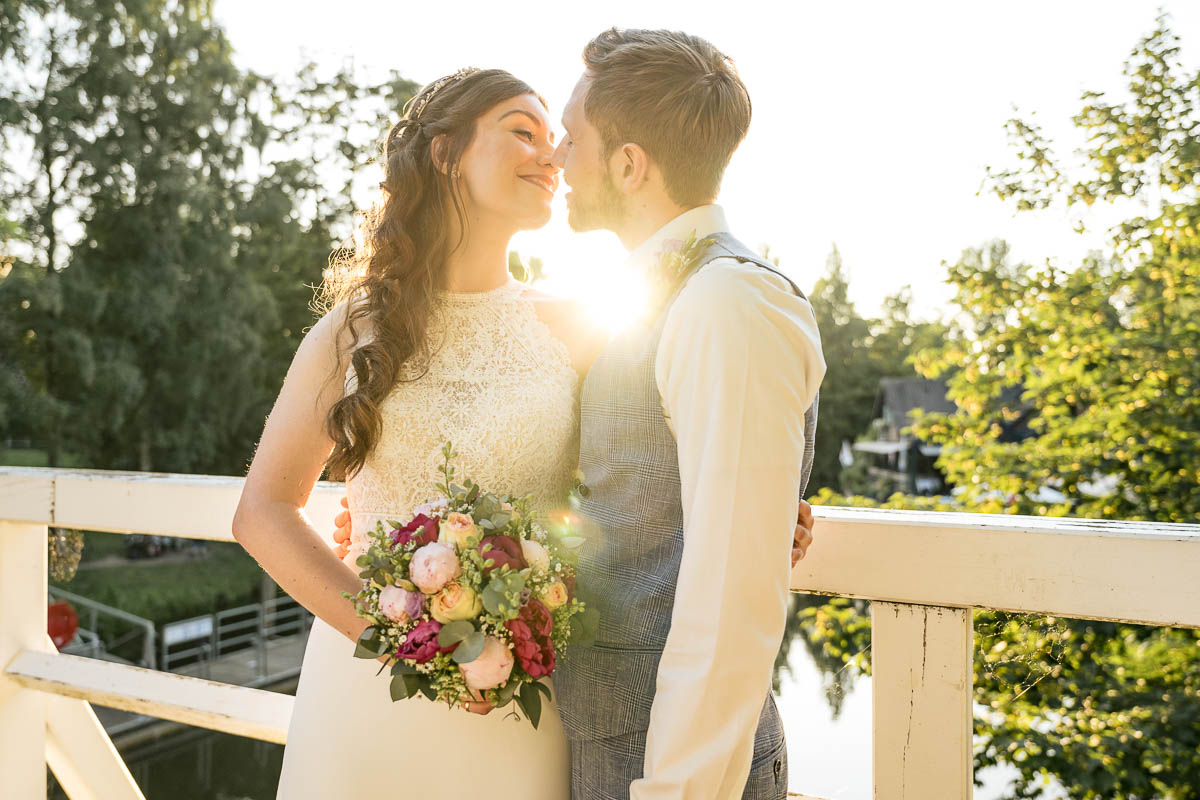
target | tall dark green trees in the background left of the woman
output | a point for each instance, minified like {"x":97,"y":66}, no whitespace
{"x":202,"y":204}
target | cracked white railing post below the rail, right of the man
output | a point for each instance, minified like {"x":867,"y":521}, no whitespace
{"x":922,"y":685}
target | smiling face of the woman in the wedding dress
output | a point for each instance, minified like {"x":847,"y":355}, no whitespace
{"x":507,"y":171}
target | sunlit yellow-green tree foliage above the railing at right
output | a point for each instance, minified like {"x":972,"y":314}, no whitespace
{"x":1103,"y":360}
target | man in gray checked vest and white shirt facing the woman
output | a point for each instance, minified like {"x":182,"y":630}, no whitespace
{"x":697,"y":440}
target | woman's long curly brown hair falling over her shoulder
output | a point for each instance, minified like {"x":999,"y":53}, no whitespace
{"x":389,"y":280}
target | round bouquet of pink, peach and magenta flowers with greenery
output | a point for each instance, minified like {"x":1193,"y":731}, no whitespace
{"x":472,"y":598}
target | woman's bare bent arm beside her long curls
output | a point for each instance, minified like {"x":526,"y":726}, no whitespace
{"x":271,"y":522}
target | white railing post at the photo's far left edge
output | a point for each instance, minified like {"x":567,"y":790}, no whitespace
{"x":23,"y":590}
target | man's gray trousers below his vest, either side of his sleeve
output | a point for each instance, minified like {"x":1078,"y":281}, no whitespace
{"x":603,"y":769}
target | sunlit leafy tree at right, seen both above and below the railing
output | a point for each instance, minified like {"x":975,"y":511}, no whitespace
{"x":1102,"y":363}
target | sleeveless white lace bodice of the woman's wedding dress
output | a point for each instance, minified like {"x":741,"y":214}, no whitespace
{"x":500,"y":387}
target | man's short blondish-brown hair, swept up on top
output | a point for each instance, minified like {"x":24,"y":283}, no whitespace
{"x":675,"y":95}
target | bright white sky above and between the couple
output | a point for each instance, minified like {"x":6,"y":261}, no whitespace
{"x":874,"y":123}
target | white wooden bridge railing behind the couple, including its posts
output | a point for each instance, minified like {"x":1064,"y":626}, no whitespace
{"x":925,"y":573}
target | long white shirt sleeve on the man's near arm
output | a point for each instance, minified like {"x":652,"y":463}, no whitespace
{"x":739,"y":364}
